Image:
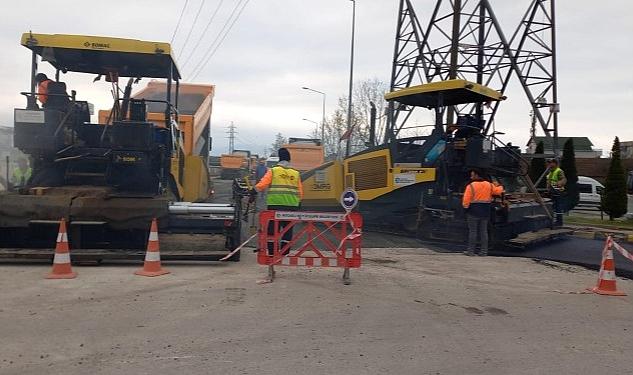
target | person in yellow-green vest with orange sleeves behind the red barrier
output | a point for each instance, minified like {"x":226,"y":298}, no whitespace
{"x":285,"y":192}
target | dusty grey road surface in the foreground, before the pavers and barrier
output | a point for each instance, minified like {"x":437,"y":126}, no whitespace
{"x":408,"y":311}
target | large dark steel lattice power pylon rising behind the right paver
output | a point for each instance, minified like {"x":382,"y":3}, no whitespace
{"x":464,"y":40}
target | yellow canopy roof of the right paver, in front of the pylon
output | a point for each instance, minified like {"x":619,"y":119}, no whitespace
{"x":444,"y":93}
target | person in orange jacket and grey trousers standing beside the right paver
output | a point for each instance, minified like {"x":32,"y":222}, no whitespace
{"x":477,"y":203}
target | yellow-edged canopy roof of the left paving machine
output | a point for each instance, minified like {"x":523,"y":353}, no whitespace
{"x":103,"y":55}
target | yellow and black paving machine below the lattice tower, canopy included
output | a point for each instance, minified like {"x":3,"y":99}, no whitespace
{"x":415,"y":185}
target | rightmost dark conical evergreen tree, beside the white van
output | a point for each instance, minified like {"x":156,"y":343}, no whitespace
{"x":614,"y":199}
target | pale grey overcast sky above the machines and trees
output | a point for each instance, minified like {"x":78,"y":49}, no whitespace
{"x":278,"y":46}
